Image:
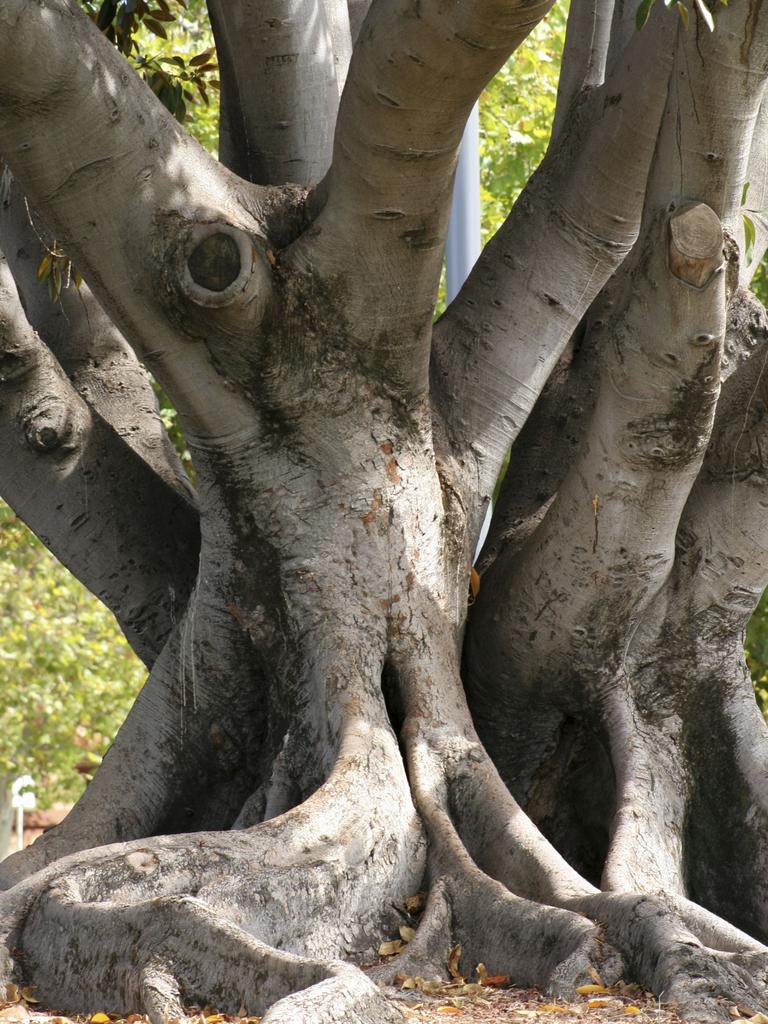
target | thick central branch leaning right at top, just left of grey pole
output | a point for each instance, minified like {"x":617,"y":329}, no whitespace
{"x":415,"y":74}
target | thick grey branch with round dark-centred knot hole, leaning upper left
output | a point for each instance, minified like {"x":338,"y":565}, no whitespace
{"x":139,"y":205}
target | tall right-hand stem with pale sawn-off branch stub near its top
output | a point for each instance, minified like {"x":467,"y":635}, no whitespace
{"x":662,"y":321}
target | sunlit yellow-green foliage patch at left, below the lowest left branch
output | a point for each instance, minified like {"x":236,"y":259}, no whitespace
{"x":67,"y":675}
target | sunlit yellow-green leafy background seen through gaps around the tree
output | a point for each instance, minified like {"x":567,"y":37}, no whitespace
{"x":67,"y":674}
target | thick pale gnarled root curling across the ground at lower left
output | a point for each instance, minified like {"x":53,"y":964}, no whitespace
{"x":244,"y":918}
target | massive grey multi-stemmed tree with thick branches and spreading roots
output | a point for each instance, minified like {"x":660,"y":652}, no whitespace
{"x":305,"y":755}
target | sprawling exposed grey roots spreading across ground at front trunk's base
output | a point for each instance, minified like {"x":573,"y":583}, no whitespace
{"x":262,"y":917}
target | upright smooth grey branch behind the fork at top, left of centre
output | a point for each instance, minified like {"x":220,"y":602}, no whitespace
{"x":281,"y":87}
